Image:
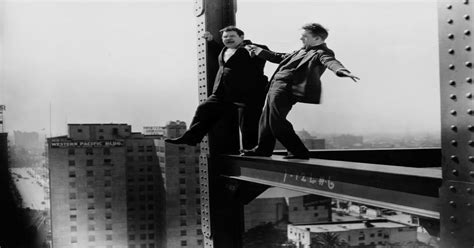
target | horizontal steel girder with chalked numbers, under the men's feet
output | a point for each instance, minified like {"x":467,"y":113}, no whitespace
{"x":407,"y":189}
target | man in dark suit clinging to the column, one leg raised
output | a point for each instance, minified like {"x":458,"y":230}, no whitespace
{"x":239,"y":83}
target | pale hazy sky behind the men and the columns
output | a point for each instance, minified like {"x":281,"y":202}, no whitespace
{"x":135,"y":62}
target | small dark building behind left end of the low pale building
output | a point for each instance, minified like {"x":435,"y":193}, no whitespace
{"x":309,"y":209}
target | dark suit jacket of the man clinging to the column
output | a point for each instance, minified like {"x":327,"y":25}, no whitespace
{"x":236,"y":79}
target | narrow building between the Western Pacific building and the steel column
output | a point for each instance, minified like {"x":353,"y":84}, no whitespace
{"x":180,"y":167}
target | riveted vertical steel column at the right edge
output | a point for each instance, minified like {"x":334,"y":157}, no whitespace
{"x":456,"y":58}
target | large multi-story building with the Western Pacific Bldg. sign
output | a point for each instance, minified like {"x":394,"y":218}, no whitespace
{"x":106,"y":188}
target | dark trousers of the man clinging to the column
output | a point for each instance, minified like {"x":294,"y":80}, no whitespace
{"x":212,"y":110}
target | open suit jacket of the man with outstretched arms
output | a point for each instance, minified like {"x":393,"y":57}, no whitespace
{"x":306,"y":82}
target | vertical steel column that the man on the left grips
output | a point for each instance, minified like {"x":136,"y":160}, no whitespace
{"x":221,"y":214}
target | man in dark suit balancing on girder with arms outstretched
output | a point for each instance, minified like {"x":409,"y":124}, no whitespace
{"x":297,"y":79}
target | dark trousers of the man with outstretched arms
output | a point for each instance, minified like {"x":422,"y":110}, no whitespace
{"x":273,"y":124}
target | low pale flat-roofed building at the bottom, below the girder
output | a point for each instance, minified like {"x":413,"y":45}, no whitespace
{"x":356,"y":233}
